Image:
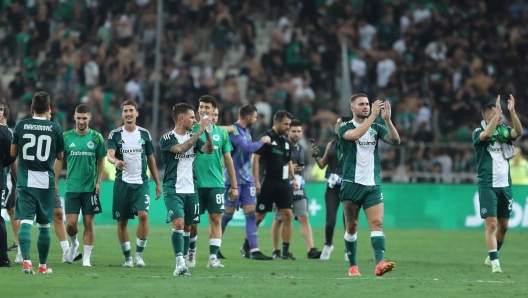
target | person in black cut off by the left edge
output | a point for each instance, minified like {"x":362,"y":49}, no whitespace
{"x":7,"y":159}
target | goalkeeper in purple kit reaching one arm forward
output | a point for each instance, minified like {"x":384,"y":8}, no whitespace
{"x":243,"y":148}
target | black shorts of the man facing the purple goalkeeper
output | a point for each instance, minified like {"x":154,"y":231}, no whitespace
{"x":282,"y":197}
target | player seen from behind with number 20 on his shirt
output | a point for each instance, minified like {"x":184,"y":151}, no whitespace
{"x":37,"y":142}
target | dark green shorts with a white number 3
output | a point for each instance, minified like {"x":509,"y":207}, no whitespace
{"x":129,"y":199}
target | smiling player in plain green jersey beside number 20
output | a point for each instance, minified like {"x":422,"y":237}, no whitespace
{"x":85,"y":153}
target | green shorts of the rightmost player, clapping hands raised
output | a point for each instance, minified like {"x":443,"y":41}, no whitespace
{"x":495,"y":201}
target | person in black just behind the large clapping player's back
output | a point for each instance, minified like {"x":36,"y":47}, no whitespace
{"x":333,"y":174}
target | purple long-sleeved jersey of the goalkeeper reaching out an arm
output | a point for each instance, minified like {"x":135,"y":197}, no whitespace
{"x":243,"y":148}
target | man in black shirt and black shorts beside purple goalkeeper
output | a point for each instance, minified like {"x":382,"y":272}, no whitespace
{"x":274,"y":162}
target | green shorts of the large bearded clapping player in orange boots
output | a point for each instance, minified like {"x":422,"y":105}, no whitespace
{"x":361,"y":195}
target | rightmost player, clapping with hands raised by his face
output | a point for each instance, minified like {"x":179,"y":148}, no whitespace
{"x":492,"y":142}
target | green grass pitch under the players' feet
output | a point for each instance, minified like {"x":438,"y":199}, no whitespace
{"x":428,"y":264}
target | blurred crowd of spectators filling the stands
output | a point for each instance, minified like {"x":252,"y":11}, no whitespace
{"x":438,"y":62}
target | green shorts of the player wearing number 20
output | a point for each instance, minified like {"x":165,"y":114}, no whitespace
{"x":35,"y":202}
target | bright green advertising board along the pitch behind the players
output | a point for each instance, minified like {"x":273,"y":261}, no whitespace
{"x":407,"y":206}
